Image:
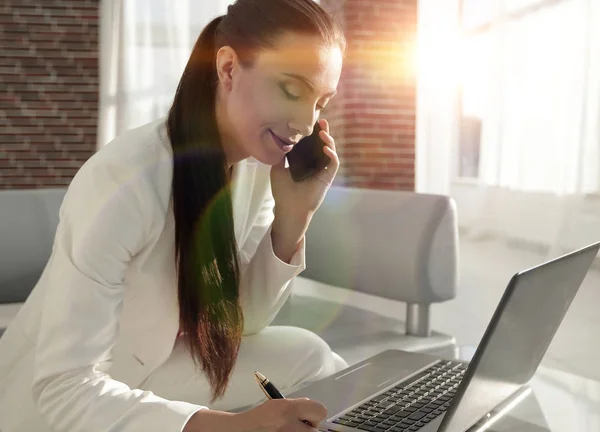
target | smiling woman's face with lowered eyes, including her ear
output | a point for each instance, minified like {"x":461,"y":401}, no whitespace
{"x":281,"y":95}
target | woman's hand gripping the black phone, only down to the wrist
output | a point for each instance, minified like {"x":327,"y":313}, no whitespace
{"x":296,"y":199}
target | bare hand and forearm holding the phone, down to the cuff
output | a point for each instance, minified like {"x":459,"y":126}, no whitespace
{"x":296,"y":202}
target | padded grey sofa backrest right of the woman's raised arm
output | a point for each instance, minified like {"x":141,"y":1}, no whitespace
{"x":394,"y":244}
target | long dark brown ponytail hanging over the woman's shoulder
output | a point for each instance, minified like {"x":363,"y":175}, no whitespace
{"x":206,"y":252}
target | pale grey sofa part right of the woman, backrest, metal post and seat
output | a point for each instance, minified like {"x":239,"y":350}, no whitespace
{"x":368,"y":249}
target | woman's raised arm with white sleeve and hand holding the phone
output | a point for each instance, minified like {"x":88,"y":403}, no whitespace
{"x":265,"y":280}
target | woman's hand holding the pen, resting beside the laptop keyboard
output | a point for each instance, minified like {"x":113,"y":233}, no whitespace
{"x":276,"y":415}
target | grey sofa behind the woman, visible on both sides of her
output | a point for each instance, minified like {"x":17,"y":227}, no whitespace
{"x":387,"y":245}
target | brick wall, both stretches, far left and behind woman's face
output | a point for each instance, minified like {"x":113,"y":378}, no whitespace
{"x":49,"y":77}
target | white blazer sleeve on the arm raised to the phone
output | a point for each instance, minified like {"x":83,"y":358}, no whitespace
{"x":265,"y":279}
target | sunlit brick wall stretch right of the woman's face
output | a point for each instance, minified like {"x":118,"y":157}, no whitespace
{"x":373,"y":116}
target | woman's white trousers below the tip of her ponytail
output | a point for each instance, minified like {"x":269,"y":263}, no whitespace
{"x":289,"y":356}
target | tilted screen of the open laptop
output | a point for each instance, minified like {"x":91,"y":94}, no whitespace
{"x":527,"y":317}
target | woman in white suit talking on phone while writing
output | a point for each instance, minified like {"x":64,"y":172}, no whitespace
{"x":176,"y":245}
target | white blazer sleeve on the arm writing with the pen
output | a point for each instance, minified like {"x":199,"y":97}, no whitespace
{"x":103,"y":224}
